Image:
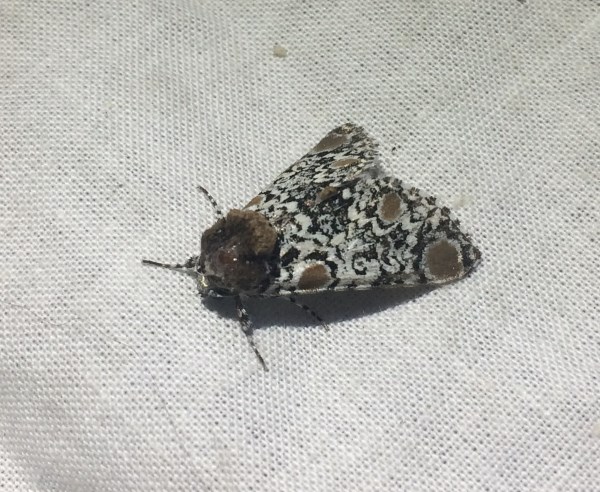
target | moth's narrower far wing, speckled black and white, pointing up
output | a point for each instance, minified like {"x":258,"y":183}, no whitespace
{"x":339,"y":160}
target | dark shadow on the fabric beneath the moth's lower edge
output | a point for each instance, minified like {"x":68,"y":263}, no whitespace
{"x":331,"y":306}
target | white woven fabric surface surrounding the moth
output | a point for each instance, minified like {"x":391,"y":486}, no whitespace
{"x":116,"y":376}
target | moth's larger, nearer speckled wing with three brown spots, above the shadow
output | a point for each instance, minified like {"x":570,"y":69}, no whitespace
{"x":376,"y":233}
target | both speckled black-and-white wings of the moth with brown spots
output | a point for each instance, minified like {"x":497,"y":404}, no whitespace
{"x":342,"y":225}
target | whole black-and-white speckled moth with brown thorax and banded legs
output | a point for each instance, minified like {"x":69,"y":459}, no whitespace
{"x":332,"y":221}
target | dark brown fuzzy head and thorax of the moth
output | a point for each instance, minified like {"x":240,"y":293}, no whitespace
{"x":239,"y":254}
